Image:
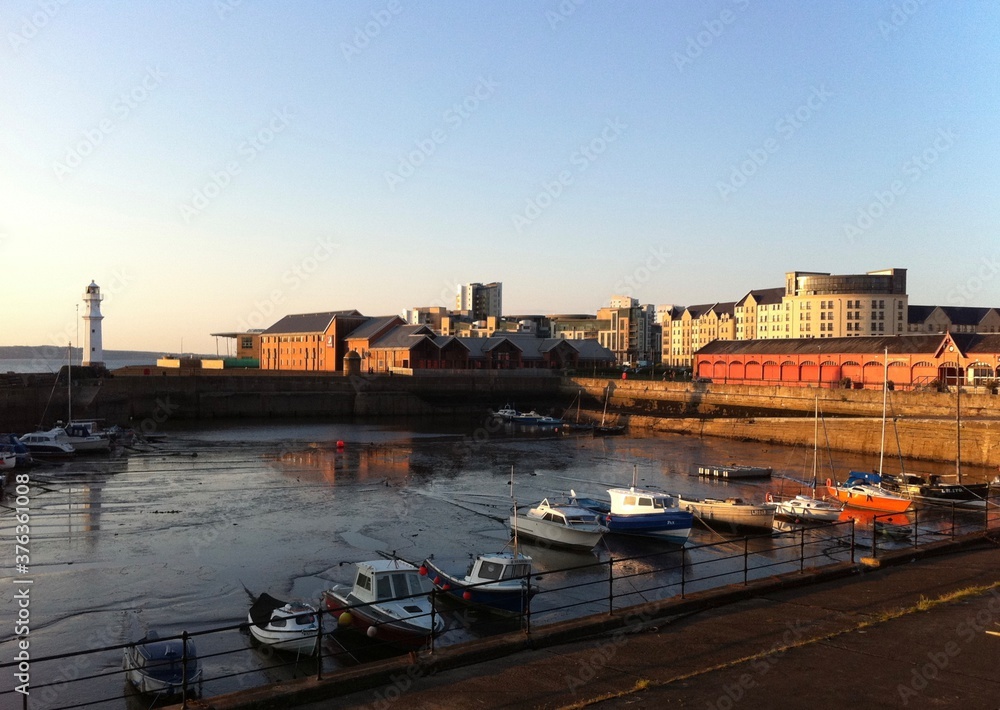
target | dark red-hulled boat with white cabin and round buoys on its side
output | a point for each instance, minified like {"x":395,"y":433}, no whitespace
{"x":390,"y":600}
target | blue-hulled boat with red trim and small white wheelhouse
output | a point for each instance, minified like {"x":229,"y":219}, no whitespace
{"x":499,"y":582}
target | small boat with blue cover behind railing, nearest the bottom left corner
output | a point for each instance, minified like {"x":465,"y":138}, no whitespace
{"x":162,"y":667}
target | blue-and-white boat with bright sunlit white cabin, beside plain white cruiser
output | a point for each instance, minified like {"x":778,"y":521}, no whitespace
{"x":638,"y":511}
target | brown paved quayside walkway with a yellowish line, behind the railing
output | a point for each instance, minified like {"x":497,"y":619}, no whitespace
{"x":873,"y":639}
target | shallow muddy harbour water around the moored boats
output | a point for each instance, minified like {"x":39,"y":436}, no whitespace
{"x":181,"y":535}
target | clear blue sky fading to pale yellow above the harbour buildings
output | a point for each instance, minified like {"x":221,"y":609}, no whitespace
{"x":216,"y":165}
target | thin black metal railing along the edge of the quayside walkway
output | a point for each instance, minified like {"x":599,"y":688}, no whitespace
{"x":93,"y":677}
